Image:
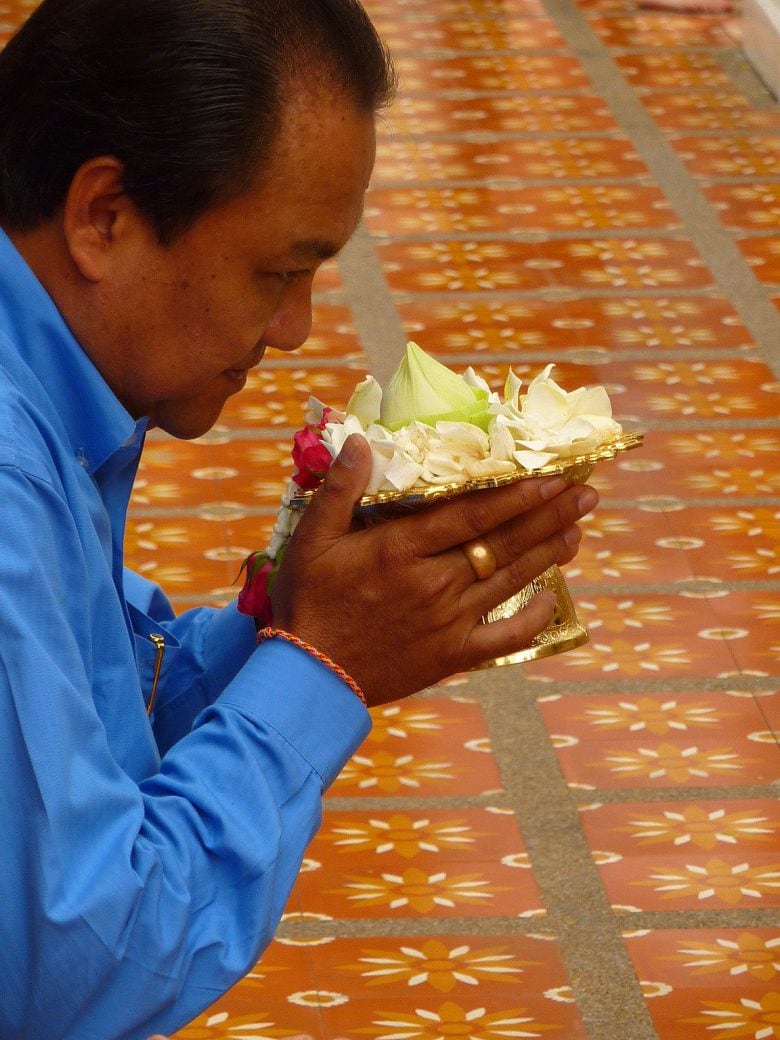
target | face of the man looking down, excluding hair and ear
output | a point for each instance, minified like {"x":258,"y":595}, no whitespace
{"x":184,"y":324}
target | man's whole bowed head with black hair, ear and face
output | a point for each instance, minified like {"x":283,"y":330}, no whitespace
{"x":186,"y":172}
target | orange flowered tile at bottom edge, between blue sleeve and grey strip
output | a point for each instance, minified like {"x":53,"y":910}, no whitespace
{"x":348,"y":981}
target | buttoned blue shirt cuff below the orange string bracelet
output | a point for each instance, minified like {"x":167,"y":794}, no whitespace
{"x":304,"y":701}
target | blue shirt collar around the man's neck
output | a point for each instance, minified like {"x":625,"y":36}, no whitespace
{"x":42,"y":350}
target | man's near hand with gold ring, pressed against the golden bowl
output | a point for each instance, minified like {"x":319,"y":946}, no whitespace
{"x":398,"y":605}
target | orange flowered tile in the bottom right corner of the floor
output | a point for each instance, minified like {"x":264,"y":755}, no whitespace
{"x":709,"y":979}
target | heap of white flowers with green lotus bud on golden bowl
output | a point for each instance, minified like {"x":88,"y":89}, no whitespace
{"x":432,"y":427}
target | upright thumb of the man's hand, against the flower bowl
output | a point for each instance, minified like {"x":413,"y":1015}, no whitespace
{"x":330,"y":512}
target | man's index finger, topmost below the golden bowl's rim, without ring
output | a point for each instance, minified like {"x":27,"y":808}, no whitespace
{"x":445,"y":526}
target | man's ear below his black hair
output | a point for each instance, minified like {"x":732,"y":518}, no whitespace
{"x":96,"y":210}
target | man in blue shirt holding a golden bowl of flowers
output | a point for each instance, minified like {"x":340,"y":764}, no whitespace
{"x":172,"y":175}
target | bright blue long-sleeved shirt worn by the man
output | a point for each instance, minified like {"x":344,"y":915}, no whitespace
{"x":144,"y":864}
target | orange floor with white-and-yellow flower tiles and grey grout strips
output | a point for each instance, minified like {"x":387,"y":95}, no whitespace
{"x":587,"y":847}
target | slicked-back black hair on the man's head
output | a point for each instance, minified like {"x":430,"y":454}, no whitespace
{"x":188,"y":95}
